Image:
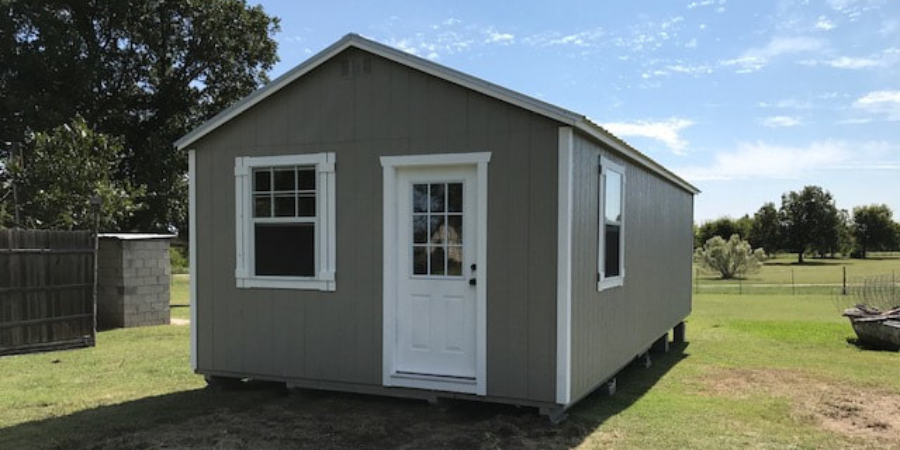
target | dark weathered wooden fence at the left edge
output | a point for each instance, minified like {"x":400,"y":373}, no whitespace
{"x":46,"y":290}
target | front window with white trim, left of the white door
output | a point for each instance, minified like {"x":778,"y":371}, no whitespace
{"x":285,"y":224}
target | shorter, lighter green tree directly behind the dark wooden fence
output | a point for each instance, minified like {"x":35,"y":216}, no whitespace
{"x":63,"y":168}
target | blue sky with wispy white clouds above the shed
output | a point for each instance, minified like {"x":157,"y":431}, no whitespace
{"x":746,"y":99}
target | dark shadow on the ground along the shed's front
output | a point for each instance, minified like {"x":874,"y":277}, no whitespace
{"x":258,"y":415}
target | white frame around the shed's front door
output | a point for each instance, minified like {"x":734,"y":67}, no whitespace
{"x":390,"y":165}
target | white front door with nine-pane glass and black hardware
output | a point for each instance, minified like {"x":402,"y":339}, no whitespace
{"x":436,"y":257}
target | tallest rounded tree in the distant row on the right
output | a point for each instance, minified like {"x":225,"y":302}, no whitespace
{"x":809,"y":221}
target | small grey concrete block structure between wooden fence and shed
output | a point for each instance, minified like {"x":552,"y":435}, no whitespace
{"x":134,"y":279}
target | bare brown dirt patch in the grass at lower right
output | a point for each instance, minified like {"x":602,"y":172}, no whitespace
{"x":870,"y":415}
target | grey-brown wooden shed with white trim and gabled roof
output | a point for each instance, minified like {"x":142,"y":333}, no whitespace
{"x":375,"y":222}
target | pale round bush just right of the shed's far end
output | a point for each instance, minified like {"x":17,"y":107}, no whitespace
{"x":731,"y":258}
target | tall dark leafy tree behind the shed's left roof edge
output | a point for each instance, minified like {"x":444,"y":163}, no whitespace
{"x":145,"y":71}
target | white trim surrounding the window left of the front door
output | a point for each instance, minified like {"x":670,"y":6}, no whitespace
{"x":325,"y":260}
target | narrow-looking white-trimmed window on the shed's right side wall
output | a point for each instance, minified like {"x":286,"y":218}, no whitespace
{"x":611,"y":239}
